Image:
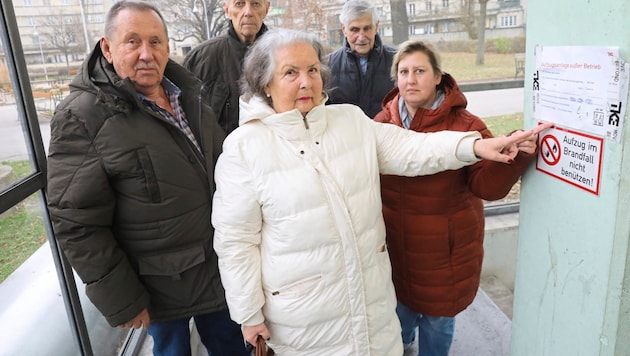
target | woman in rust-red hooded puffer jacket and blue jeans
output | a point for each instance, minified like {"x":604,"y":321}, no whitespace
{"x":435,"y":223}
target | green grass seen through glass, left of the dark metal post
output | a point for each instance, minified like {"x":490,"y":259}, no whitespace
{"x":21,"y":227}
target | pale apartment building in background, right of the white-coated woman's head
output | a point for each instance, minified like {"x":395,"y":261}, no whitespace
{"x":427,"y":19}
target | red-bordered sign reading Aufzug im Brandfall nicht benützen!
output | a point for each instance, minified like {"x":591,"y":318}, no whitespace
{"x":572,"y":157}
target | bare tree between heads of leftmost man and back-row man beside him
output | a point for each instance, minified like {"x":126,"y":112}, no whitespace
{"x":198,"y":19}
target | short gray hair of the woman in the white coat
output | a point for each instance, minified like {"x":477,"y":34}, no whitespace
{"x":260,"y":61}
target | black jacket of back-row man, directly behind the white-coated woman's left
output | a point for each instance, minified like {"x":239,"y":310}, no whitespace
{"x":218,"y":62}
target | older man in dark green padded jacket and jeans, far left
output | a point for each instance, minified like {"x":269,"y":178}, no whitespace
{"x":130,"y":185}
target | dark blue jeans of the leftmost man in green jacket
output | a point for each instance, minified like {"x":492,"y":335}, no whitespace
{"x":219,"y":334}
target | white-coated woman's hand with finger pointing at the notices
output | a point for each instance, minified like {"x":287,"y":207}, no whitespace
{"x":504,"y":149}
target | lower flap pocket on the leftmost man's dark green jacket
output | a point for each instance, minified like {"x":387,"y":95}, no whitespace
{"x":171,"y":264}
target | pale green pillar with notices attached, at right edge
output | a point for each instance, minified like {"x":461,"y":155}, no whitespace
{"x":572,"y":289}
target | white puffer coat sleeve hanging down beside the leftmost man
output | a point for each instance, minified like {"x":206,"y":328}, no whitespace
{"x":237,"y":220}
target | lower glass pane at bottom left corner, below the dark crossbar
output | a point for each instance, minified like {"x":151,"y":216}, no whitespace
{"x":31,"y":303}
